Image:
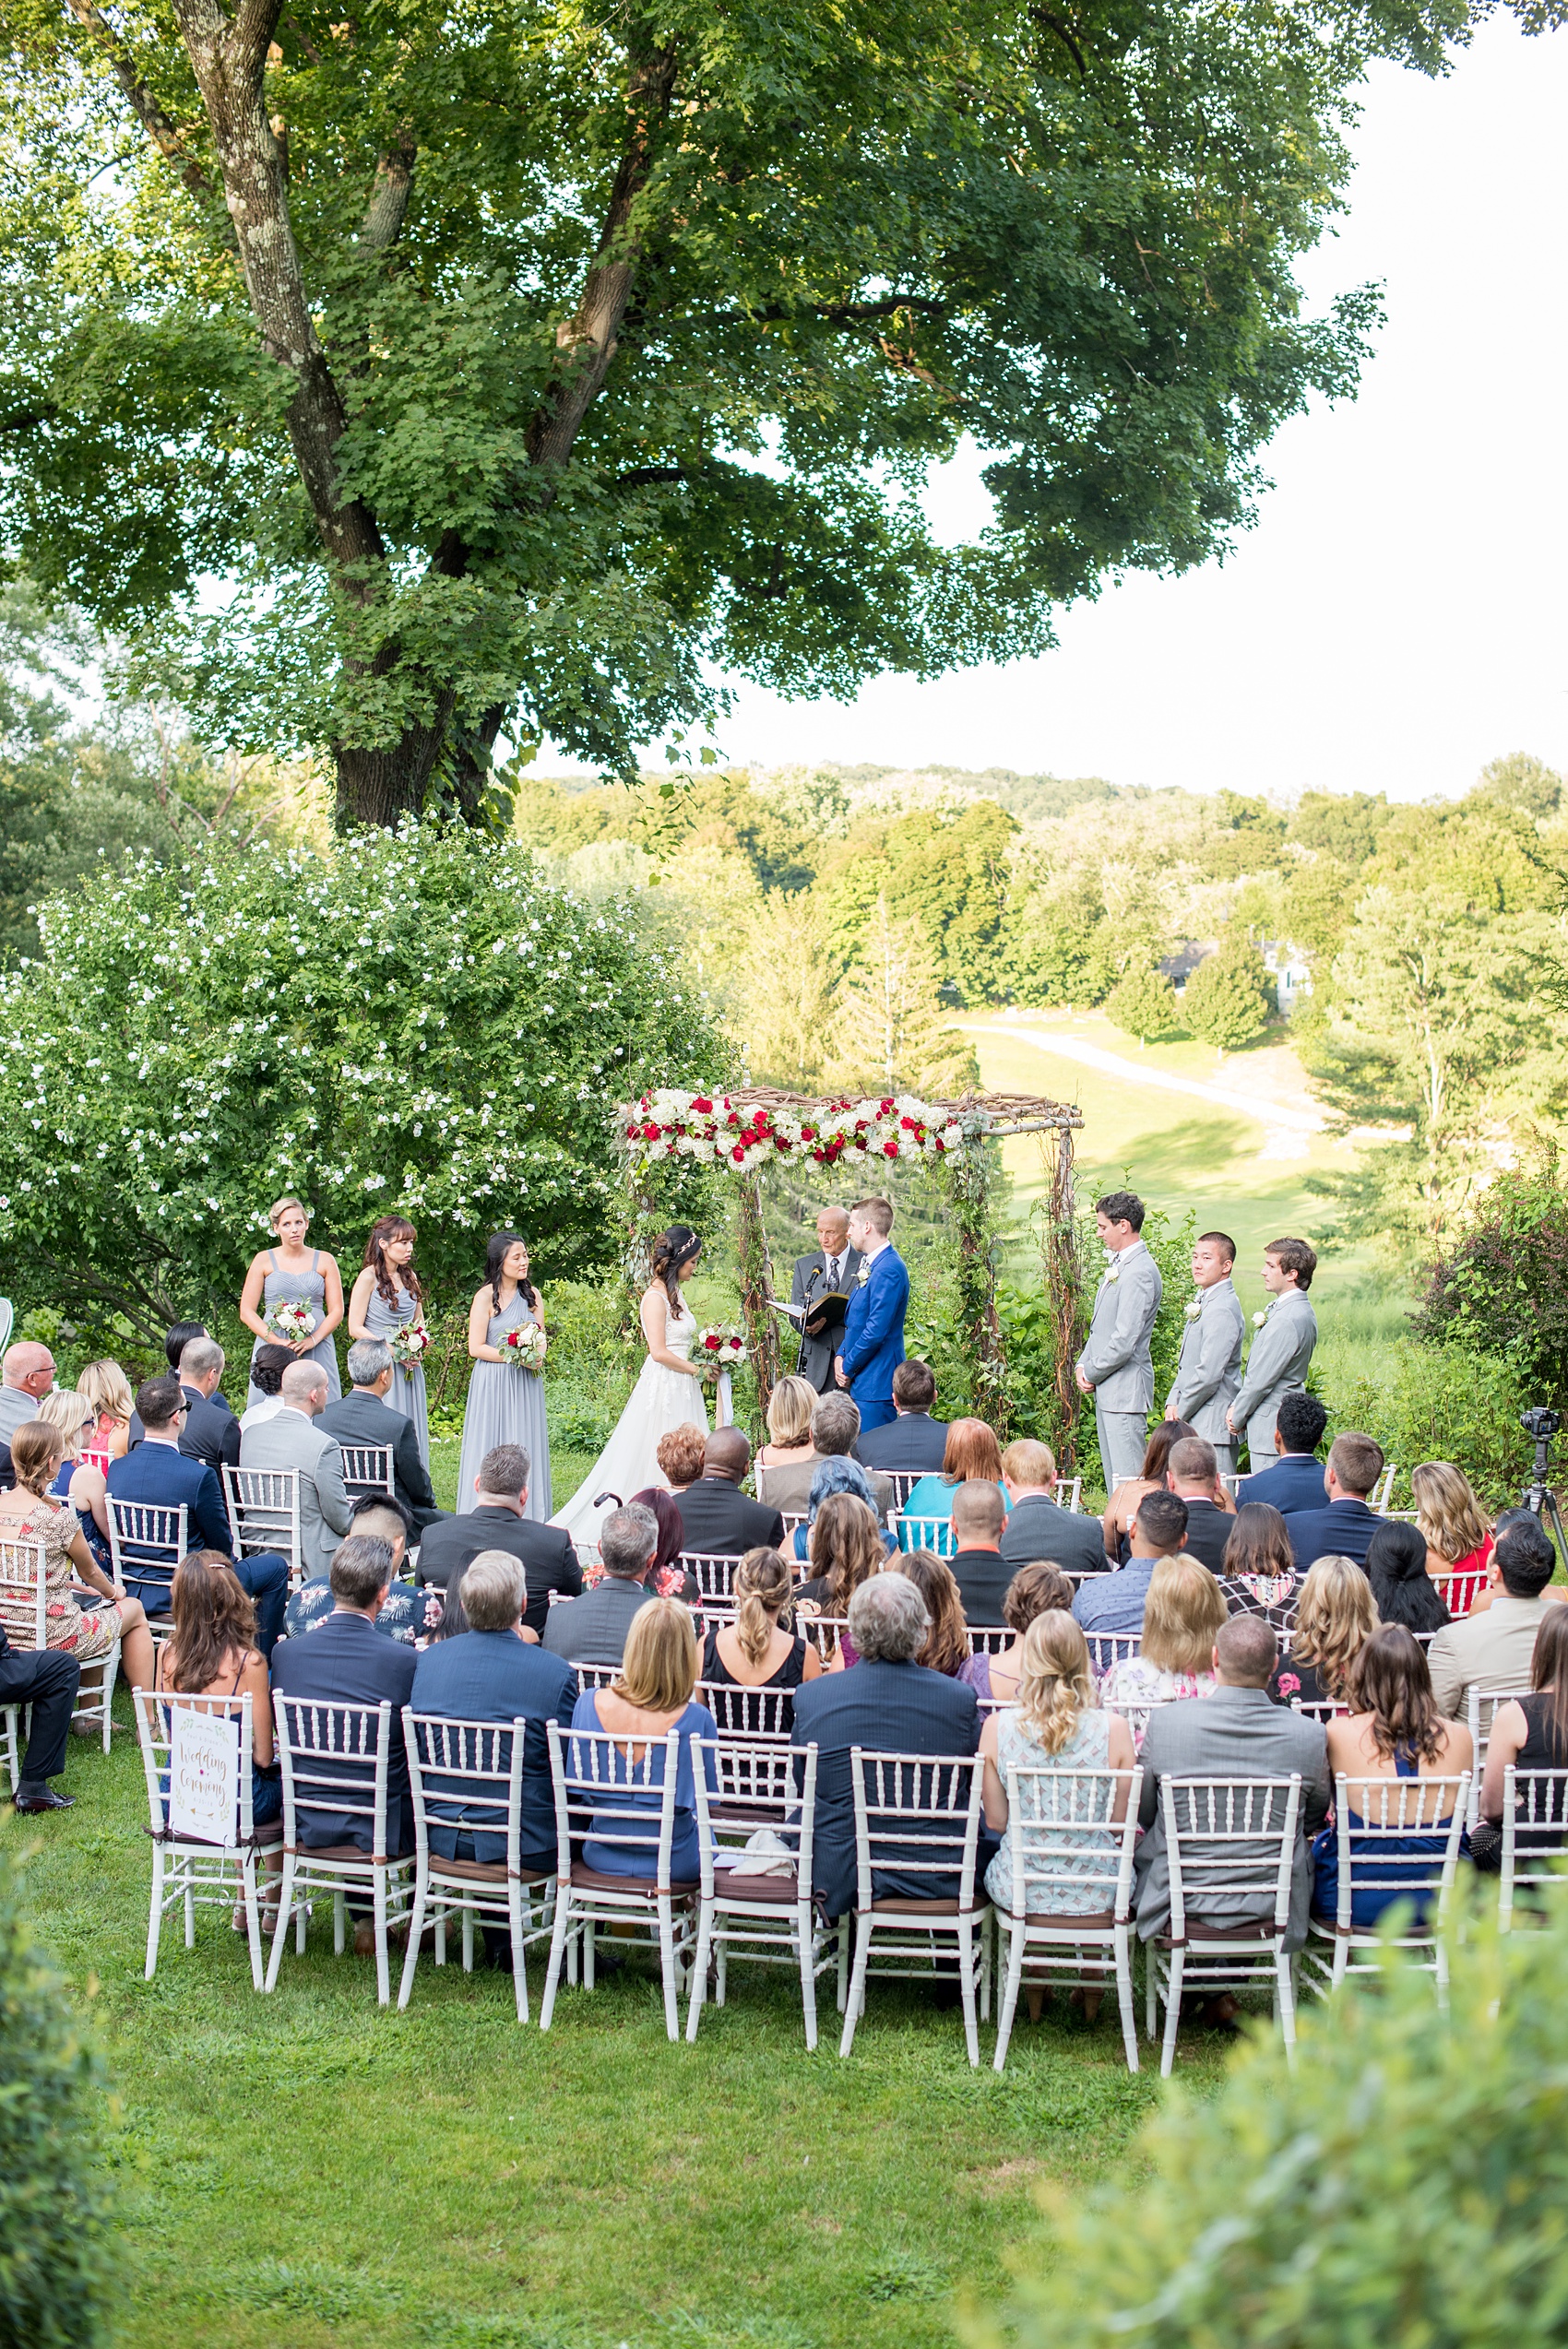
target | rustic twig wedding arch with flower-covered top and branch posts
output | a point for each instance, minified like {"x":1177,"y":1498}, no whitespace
{"x":756,"y":1126}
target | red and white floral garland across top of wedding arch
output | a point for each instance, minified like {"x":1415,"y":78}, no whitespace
{"x":716,"y":1131}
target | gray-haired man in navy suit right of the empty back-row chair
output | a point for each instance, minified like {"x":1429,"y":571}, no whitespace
{"x":887,"y":1704}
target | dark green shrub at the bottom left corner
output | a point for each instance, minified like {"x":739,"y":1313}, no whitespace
{"x":53,"y":2186}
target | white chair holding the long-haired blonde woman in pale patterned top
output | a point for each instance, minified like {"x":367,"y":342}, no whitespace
{"x":1057,"y":1829}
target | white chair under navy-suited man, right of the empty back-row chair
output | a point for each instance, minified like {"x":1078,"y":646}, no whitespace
{"x":918,"y":1819}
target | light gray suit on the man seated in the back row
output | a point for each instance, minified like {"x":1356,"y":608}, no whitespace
{"x":1231,"y":1735}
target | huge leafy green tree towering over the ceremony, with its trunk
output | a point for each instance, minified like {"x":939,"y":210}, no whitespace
{"x":525,"y":368}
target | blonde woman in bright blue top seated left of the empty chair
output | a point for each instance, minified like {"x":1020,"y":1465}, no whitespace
{"x":648,"y":1702}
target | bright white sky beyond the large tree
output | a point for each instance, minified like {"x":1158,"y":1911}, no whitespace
{"x":1398,"y":614}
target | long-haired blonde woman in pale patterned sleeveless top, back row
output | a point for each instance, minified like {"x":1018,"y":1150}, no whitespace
{"x":1057,"y":1725}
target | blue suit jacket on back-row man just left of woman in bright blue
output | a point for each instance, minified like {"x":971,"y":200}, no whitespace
{"x":492,"y":1676}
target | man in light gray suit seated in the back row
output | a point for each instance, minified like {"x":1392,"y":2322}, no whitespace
{"x":1233,"y":1735}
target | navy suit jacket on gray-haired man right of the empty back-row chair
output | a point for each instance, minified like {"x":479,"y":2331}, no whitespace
{"x":885,"y":1709}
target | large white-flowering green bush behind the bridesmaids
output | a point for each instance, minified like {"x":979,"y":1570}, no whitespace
{"x":410,"y":1023}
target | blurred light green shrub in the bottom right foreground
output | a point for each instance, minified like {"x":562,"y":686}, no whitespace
{"x":1402,"y":2188}
